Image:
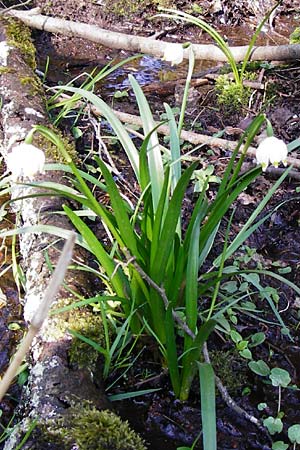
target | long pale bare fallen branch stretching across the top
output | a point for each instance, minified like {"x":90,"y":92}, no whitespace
{"x":148,"y":45}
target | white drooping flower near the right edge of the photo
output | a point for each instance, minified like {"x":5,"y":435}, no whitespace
{"x":271,"y":151}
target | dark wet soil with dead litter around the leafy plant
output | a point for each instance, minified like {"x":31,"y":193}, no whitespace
{"x":160,"y":418}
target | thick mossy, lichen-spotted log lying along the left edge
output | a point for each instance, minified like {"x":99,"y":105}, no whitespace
{"x":55,"y":384}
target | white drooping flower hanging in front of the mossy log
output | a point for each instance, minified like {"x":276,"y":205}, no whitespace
{"x":25,"y":160}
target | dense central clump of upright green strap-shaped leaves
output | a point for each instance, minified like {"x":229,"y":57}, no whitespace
{"x":151,"y":280}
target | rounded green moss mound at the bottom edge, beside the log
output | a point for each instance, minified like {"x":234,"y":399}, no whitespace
{"x":88,"y":428}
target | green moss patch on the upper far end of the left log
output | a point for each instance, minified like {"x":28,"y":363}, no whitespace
{"x":19,"y":35}
